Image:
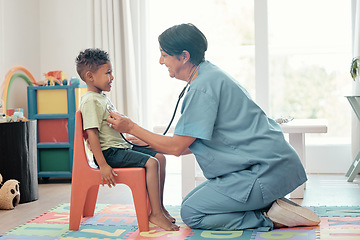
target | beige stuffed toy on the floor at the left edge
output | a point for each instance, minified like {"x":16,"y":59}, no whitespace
{"x":9,"y":194}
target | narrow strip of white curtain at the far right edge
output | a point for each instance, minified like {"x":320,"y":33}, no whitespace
{"x":356,"y":85}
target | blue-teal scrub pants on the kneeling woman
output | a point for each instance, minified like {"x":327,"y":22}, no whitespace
{"x":205,"y":208}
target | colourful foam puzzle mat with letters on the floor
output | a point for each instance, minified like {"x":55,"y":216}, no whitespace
{"x":119,"y":222}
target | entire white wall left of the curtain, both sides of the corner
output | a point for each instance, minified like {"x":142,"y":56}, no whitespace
{"x":42,"y":36}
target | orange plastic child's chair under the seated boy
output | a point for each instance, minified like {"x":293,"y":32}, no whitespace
{"x":86,"y":181}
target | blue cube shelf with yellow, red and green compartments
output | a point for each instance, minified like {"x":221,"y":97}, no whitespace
{"x":54,"y":109}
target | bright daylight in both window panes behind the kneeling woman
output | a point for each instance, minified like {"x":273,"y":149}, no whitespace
{"x":309,"y":55}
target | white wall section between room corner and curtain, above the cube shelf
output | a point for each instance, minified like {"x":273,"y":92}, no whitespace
{"x":65,"y":29}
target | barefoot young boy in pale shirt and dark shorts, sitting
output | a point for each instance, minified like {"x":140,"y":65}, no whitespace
{"x":108,"y":147}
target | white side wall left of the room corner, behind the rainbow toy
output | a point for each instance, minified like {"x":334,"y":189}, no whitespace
{"x":20,"y":43}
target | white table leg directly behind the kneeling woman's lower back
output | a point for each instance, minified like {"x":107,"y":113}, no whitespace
{"x":297,"y":141}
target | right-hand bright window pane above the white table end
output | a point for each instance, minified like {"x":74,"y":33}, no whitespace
{"x":309,"y":62}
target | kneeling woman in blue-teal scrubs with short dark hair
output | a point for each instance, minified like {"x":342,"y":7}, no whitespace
{"x":248,"y":164}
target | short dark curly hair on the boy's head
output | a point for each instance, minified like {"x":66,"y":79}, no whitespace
{"x":90,"y":60}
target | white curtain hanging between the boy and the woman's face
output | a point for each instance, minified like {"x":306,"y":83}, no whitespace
{"x":117,"y":29}
